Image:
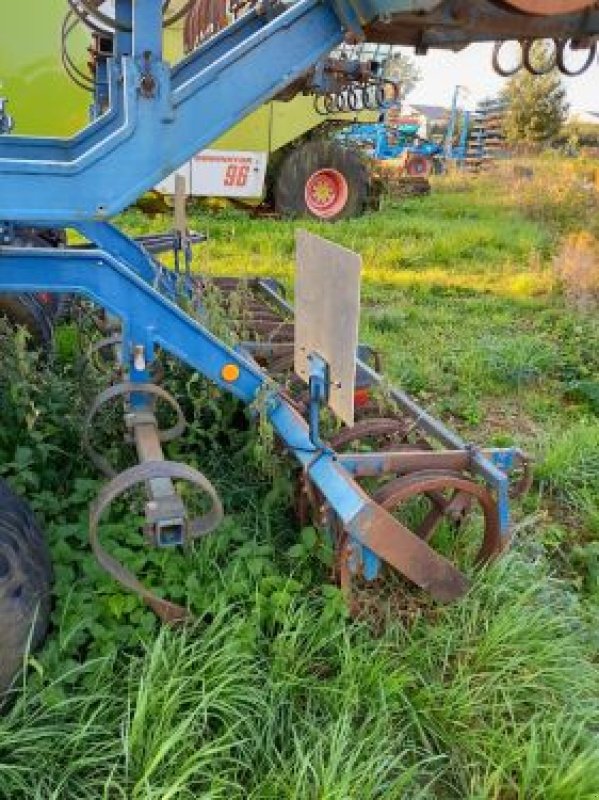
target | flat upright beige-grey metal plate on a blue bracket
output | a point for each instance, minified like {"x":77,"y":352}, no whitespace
{"x":327,"y":310}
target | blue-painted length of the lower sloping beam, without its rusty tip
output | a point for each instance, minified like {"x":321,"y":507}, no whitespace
{"x":151,"y":320}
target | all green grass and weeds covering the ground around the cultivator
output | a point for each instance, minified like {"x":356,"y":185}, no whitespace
{"x":275,"y":694}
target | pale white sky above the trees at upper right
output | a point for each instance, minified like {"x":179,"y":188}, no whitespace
{"x":471,"y":68}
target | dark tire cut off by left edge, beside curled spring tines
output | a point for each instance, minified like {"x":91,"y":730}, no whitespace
{"x":25,"y":577}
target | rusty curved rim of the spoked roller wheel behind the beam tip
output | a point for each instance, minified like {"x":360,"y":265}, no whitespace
{"x":407,"y":487}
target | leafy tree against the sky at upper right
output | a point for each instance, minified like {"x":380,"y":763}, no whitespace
{"x":536,"y":104}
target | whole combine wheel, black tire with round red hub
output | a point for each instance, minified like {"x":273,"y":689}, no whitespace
{"x":323,"y":180}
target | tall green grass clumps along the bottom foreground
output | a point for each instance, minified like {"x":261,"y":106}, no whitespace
{"x":497,"y":698}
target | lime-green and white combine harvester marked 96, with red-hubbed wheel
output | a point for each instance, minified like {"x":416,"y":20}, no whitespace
{"x":290,"y":160}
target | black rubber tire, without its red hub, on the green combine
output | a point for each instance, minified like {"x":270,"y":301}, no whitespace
{"x":307,"y":159}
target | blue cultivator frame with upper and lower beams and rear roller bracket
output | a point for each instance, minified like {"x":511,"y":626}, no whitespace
{"x":155,"y":119}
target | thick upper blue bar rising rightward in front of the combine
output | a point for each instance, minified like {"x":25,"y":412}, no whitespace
{"x":149,"y":136}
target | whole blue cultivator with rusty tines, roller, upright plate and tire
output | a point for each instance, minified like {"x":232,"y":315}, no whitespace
{"x":150,"y":117}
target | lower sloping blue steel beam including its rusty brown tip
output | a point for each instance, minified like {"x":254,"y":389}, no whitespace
{"x":150,"y":320}
